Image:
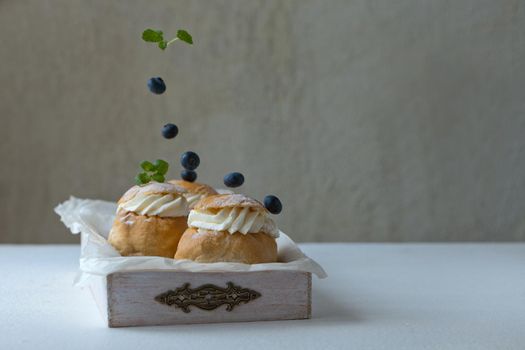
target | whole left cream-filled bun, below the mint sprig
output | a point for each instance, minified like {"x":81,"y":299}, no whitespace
{"x":150,"y":220}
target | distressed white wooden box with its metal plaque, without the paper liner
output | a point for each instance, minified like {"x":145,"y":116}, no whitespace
{"x":145,"y":298}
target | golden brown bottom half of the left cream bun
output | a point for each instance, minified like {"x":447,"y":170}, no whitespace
{"x":134,"y":234}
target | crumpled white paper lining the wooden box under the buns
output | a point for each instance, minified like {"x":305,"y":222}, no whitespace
{"x":93,"y":220}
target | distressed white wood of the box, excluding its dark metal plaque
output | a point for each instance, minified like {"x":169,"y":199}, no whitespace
{"x":129,"y":300}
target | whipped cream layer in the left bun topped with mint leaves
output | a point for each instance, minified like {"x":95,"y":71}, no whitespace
{"x":165,"y":205}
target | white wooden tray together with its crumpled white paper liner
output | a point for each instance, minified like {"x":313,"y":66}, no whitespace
{"x":152,"y":290}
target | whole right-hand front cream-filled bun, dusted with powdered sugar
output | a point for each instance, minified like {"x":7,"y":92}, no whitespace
{"x":229,"y":228}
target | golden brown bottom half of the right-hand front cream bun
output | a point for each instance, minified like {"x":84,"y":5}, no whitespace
{"x":219,"y":246}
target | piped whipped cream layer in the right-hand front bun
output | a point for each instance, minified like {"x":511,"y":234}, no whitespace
{"x":233,"y":220}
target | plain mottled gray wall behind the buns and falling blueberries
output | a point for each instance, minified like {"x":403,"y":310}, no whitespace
{"x":373,"y":120}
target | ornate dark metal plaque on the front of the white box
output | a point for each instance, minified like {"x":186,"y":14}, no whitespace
{"x":207,"y":297}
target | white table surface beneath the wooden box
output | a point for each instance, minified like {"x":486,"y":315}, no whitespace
{"x":377,"y":296}
